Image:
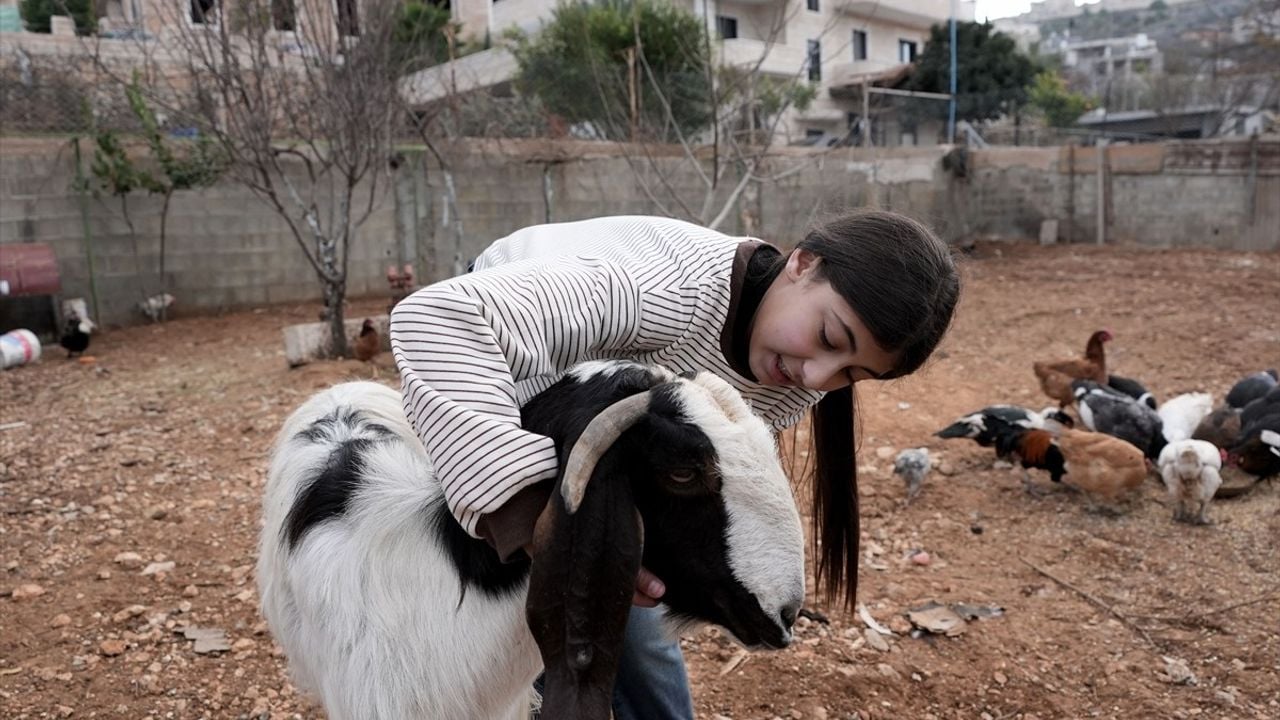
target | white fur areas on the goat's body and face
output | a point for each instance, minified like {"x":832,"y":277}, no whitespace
{"x":368,"y":605}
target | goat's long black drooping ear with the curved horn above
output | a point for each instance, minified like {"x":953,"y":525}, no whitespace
{"x":588,"y":545}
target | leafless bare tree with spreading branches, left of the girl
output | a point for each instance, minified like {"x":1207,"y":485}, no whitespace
{"x":303,"y":99}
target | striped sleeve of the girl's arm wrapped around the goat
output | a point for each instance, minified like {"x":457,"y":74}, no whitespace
{"x":464,"y":344}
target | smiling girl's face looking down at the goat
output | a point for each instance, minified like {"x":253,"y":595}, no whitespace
{"x":804,"y":335}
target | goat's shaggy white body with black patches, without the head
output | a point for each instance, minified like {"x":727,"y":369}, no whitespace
{"x":356,"y":585}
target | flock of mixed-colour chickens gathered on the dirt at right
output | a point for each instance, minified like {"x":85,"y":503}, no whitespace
{"x":1128,"y":435}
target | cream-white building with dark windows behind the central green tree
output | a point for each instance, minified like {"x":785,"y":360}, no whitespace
{"x":834,"y":44}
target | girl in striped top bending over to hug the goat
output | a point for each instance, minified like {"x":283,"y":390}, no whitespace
{"x":863,"y":297}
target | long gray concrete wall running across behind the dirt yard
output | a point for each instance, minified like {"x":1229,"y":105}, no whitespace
{"x":227,"y":249}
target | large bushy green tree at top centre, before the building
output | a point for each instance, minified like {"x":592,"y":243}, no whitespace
{"x":598,"y":63}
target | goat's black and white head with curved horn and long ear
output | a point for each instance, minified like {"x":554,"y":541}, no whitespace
{"x":674,"y":472}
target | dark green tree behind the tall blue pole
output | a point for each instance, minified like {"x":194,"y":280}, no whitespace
{"x":993,"y":75}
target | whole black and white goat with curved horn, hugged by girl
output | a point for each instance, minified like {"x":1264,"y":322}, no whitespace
{"x":390,"y":610}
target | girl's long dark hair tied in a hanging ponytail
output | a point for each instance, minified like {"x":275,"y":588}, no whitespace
{"x":904,"y":285}
